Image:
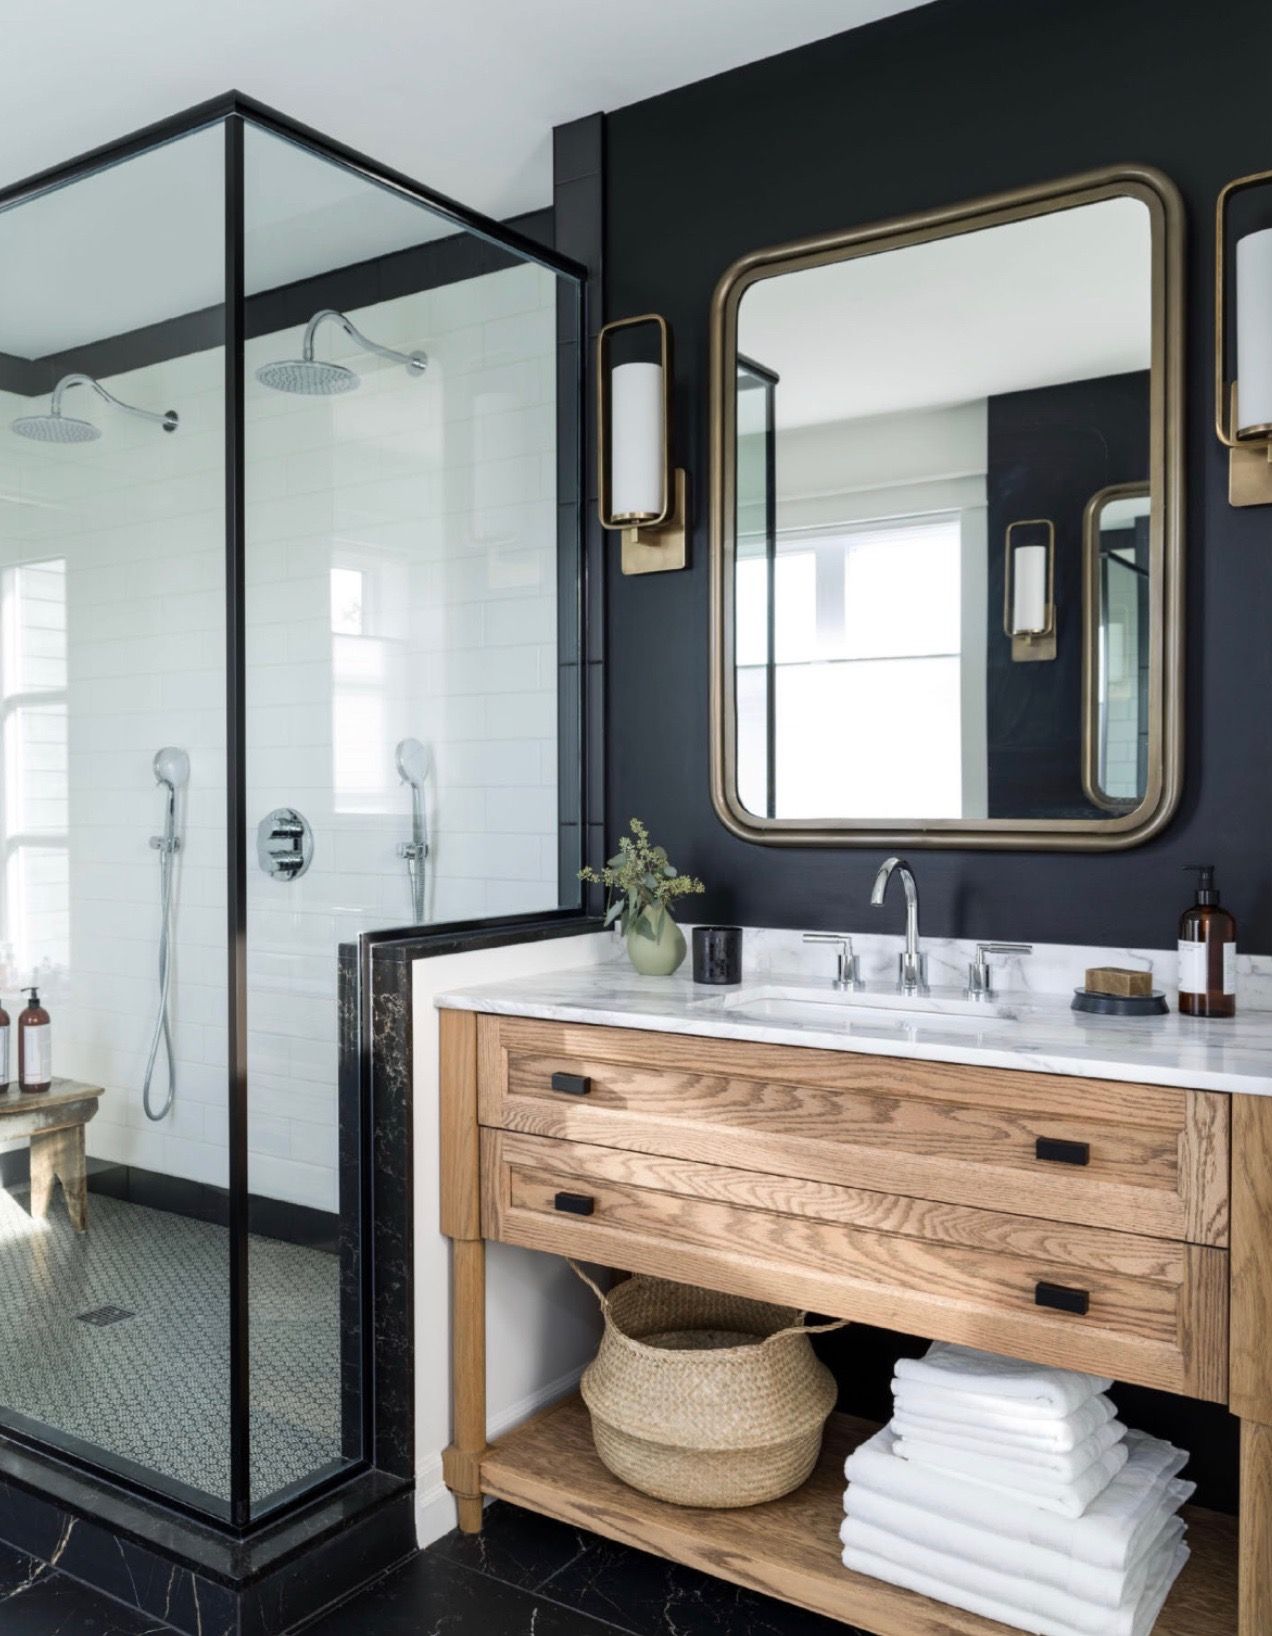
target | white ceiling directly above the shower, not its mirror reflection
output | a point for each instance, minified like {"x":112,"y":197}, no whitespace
{"x":462,"y":96}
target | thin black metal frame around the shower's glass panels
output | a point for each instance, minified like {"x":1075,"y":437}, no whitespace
{"x":235,"y":112}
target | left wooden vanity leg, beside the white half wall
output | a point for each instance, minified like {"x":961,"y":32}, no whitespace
{"x":462,"y":1225}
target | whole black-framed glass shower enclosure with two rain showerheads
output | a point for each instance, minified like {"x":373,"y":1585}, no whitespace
{"x":289,"y":655}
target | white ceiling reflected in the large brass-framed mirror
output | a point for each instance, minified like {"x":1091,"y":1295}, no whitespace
{"x":1034,"y":303}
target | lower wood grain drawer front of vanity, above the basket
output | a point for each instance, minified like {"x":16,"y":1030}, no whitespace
{"x":1153,"y":1311}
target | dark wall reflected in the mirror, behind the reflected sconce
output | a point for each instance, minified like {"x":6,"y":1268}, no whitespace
{"x":1049,"y":451}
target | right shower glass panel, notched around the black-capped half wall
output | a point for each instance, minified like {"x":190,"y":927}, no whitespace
{"x":403,"y":567}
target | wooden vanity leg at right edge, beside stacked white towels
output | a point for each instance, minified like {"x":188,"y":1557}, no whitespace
{"x":1250,"y":1355}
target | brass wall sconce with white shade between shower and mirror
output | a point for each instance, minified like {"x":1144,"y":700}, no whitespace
{"x":642,"y":497}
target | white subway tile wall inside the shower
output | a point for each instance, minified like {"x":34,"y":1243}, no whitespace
{"x":401,"y":572}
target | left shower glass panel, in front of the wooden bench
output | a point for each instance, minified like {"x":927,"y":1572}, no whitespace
{"x":115,"y":1339}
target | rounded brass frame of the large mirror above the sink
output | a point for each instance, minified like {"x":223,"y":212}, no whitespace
{"x":1167,"y":533}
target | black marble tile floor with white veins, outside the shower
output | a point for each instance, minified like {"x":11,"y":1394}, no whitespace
{"x":524,"y":1576}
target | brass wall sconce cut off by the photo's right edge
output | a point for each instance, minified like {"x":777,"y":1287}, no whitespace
{"x":1243,"y":407}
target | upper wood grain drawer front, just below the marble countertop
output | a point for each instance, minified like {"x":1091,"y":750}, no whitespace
{"x":1157,"y":1159}
